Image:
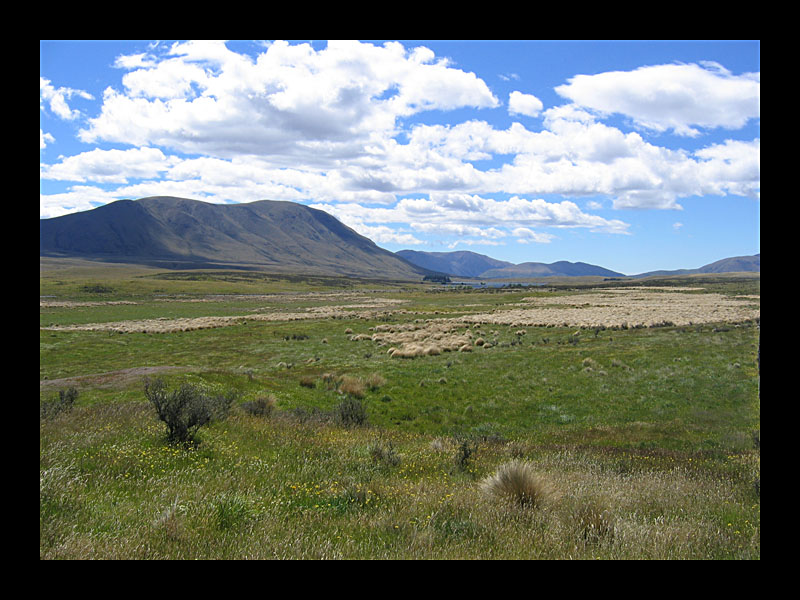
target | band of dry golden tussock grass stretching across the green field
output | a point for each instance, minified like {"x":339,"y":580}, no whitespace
{"x":624,"y":307}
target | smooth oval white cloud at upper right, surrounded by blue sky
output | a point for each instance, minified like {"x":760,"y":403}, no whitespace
{"x":677,"y":97}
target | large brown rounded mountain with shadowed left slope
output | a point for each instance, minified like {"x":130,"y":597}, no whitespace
{"x":177,"y":232}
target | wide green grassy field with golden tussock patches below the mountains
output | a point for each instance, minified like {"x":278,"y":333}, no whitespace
{"x":386,"y":410}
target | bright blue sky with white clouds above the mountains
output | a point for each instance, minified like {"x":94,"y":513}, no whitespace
{"x":631,"y":155}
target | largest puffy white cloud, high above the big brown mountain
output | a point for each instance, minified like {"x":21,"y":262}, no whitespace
{"x":291,"y":102}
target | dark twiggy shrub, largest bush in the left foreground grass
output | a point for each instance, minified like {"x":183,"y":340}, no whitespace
{"x":185,"y":410}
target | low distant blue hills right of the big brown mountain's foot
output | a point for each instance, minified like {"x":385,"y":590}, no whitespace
{"x":470,"y":264}
